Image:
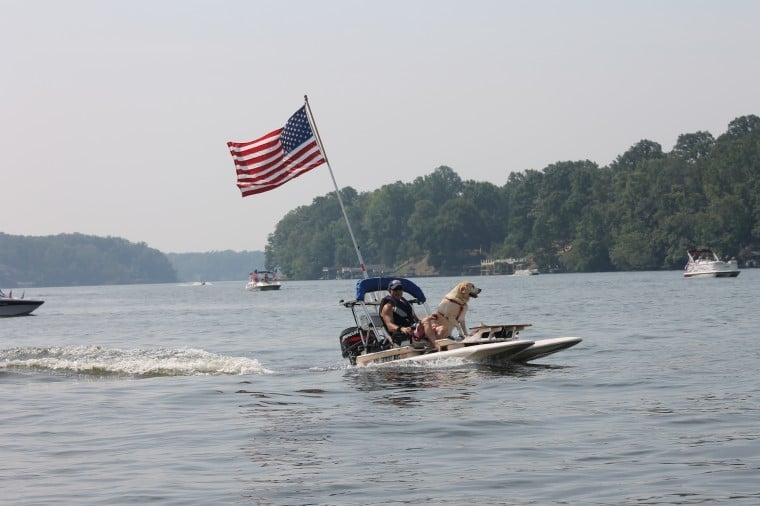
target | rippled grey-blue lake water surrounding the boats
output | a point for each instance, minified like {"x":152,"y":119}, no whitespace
{"x":181,"y":394}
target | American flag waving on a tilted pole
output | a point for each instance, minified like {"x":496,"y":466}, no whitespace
{"x":276,"y":158}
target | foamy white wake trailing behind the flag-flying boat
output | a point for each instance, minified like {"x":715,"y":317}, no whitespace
{"x":139,"y":363}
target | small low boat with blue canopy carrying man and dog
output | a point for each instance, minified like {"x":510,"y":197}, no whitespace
{"x":368,"y":341}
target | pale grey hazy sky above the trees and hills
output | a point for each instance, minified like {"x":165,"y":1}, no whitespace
{"x":116,"y":114}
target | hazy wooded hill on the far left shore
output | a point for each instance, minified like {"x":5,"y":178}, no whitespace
{"x":78,"y":259}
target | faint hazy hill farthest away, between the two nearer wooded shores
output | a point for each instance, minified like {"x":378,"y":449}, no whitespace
{"x":216,"y":265}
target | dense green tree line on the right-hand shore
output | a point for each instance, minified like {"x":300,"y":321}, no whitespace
{"x":641,"y":212}
